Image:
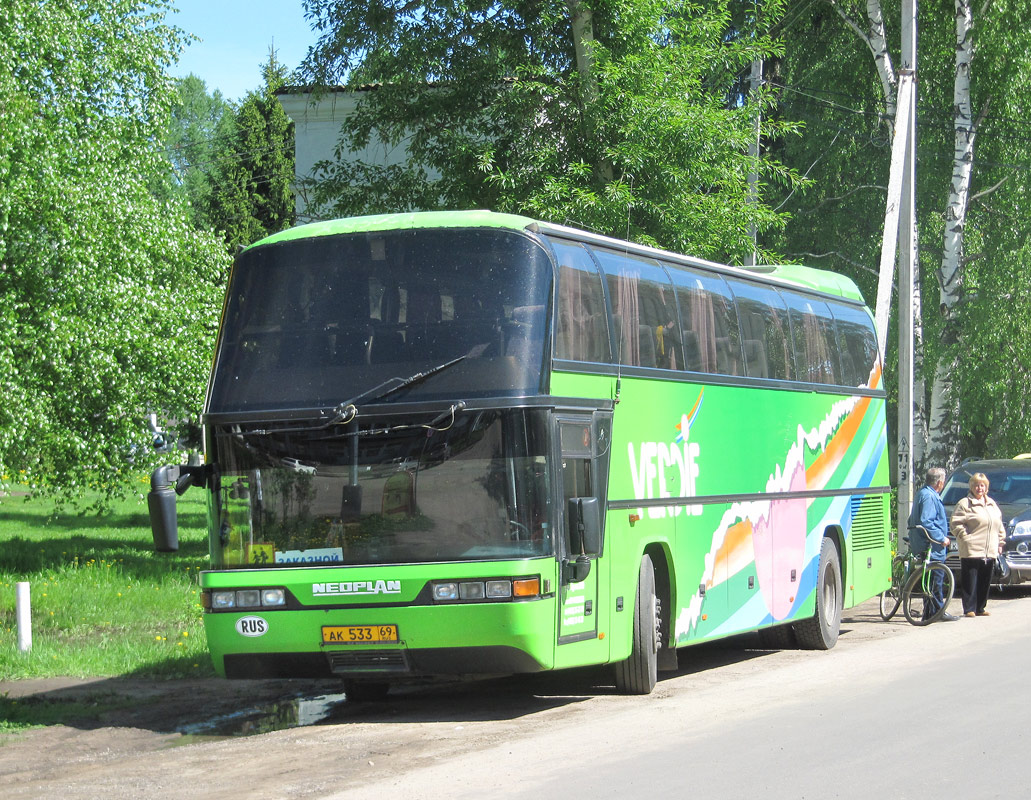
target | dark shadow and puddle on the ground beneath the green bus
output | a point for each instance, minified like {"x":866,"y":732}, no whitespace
{"x":222,"y":709}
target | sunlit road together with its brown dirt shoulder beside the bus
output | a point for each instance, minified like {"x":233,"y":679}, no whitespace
{"x":892,"y":712}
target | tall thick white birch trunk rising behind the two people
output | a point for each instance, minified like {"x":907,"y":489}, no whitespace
{"x":944,"y":434}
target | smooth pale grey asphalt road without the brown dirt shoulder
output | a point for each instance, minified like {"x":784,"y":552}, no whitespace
{"x":922,"y":713}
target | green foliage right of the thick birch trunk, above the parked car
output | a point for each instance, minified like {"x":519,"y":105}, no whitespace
{"x":991,"y":334}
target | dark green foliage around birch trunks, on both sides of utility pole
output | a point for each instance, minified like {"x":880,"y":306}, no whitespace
{"x":827,"y":80}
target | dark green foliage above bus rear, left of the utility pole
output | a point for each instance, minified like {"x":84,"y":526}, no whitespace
{"x":826,"y":80}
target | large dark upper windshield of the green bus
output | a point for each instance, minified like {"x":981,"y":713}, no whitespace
{"x":313,"y":322}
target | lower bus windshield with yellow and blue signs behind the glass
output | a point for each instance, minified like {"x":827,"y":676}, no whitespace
{"x":478,"y":490}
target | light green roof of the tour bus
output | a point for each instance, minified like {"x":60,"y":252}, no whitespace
{"x":809,"y":278}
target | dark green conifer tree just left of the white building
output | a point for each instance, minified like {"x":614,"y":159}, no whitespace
{"x":252,"y":171}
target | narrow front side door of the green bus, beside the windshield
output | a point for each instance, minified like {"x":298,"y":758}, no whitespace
{"x":584,"y":581}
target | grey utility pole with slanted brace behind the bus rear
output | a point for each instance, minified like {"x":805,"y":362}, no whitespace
{"x":901,"y":242}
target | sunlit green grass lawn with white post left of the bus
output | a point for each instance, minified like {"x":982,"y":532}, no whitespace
{"x":104,"y":603}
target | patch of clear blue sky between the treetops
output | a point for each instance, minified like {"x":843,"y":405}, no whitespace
{"x":236,"y":37}
